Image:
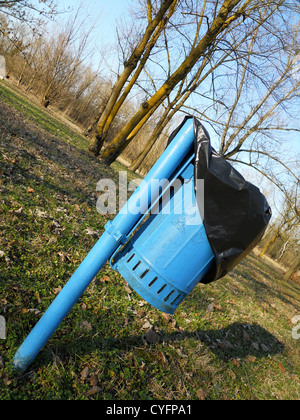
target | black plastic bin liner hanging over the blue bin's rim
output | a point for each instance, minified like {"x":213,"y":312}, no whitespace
{"x":236,"y":213}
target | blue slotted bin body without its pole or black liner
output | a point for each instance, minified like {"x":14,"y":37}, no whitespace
{"x":170,"y":253}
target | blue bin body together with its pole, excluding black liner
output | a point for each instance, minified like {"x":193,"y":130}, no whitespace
{"x":162,"y":255}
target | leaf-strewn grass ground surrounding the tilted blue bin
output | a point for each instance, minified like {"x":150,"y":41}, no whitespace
{"x":230,"y":340}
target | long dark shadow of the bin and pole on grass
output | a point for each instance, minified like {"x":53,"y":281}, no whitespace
{"x":237,"y":341}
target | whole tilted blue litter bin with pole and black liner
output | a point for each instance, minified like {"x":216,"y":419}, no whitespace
{"x":164,"y":254}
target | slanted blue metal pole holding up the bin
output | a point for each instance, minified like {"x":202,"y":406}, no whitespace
{"x":115,"y":234}
